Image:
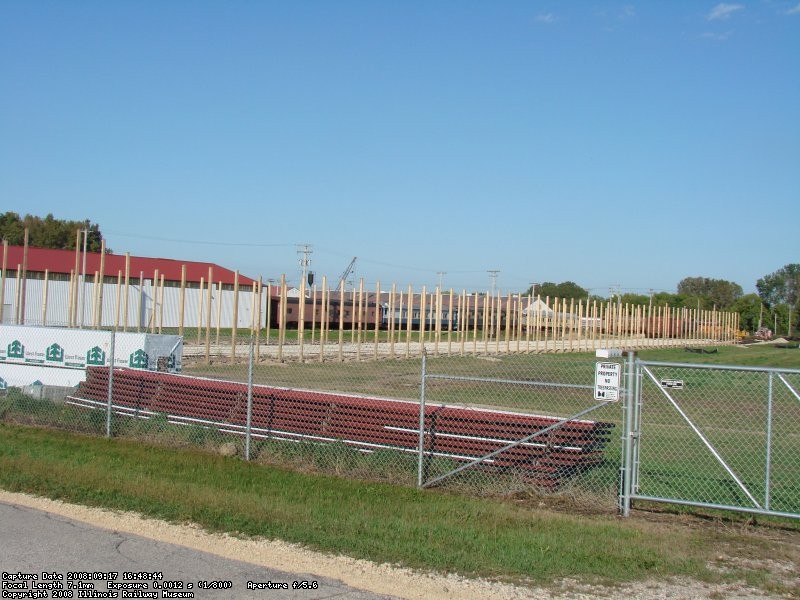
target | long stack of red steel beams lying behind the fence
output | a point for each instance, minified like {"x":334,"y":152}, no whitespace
{"x":367,"y":423}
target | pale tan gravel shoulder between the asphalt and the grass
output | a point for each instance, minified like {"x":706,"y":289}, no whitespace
{"x":405,"y":583}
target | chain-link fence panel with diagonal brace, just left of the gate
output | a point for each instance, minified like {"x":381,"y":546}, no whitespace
{"x":509,"y":431}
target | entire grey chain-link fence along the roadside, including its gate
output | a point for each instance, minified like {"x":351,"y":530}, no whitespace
{"x":488,"y":424}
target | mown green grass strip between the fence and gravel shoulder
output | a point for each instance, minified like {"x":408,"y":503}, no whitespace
{"x":380,"y":522}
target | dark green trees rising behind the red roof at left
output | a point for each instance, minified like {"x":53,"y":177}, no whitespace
{"x":49,"y":232}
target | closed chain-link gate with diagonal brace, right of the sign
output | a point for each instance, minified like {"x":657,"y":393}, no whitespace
{"x":723,"y":437}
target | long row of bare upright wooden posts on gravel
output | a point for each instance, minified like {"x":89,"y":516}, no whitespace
{"x":568,"y":326}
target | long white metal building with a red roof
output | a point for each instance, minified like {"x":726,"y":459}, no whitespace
{"x":65,"y":288}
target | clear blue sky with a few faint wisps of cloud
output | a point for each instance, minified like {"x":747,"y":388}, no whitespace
{"x":610,"y":144}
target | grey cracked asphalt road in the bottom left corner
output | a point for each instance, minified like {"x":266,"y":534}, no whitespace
{"x":33,"y":542}
